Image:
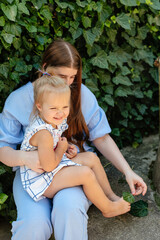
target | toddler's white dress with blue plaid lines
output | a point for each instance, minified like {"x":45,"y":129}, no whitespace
{"x":35,"y":183}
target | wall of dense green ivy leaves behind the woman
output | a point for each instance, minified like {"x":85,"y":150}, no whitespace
{"x":118,"y":41}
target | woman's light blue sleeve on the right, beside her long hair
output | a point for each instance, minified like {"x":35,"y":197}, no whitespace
{"x":94,"y":115}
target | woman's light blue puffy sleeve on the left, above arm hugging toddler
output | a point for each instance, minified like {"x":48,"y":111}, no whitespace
{"x":15,"y":116}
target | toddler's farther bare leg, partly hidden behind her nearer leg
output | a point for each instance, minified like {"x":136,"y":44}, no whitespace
{"x":91,"y":160}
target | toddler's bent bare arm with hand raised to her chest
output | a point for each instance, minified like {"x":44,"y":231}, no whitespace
{"x":48,"y":157}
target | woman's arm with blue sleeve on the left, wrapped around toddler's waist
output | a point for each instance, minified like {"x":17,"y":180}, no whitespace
{"x":14,"y":116}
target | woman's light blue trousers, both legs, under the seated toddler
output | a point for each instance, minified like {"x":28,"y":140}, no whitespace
{"x":67,"y":214}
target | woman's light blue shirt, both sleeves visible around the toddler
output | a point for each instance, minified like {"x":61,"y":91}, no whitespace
{"x":17,"y":109}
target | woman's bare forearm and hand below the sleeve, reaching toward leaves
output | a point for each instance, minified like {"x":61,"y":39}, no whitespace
{"x":109,"y":149}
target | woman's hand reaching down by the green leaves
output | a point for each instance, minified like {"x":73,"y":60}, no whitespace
{"x":136,"y":183}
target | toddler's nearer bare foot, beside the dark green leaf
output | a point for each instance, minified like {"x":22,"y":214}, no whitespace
{"x":117,"y":208}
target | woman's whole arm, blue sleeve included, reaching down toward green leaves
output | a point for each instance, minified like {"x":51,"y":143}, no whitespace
{"x":99,"y":130}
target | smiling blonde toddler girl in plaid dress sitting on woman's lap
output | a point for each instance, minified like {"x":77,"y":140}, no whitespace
{"x":62,"y":165}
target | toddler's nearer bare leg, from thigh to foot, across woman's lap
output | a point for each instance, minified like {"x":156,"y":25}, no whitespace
{"x":82,"y":175}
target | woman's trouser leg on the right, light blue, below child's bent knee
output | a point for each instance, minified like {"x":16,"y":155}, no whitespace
{"x":69,"y":213}
